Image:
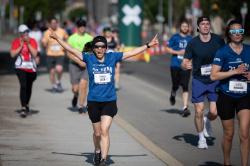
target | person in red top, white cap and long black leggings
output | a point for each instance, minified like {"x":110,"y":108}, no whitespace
{"x":24,"y":49}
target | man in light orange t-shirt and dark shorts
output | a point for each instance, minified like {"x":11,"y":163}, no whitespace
{"x":55,"y":55}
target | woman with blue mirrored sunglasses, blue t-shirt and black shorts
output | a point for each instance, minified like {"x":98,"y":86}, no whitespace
{"x":231,"y":67}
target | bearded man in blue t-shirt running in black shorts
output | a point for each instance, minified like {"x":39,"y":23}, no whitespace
{"x":176,"y":46}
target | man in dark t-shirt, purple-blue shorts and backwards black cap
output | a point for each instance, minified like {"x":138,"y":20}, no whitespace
{"x":199,"y":56}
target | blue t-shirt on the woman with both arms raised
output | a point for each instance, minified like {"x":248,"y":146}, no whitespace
{"x":101,"y":76}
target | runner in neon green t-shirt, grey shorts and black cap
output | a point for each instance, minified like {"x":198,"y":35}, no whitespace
{"x":77,"y":69}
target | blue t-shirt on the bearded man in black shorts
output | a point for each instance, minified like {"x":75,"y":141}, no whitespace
{"x":177,"y":42}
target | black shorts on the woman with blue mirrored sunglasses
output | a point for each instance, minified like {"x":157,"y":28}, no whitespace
{"x":227,"y":106}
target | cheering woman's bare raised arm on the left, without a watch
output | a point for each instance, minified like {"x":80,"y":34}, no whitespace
{"x":65,"y":45}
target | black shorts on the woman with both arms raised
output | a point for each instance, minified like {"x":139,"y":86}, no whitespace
{"x":97,"y":109}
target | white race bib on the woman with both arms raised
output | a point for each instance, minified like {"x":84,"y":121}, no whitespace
{"x":102,"y":77}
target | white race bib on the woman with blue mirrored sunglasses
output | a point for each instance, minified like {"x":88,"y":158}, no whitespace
{"x":238,"y":86}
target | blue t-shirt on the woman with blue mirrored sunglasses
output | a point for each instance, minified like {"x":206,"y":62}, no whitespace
{"x":229,"y":60}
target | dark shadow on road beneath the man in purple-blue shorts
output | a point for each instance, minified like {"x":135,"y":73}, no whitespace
{"x":193,"y":139}
